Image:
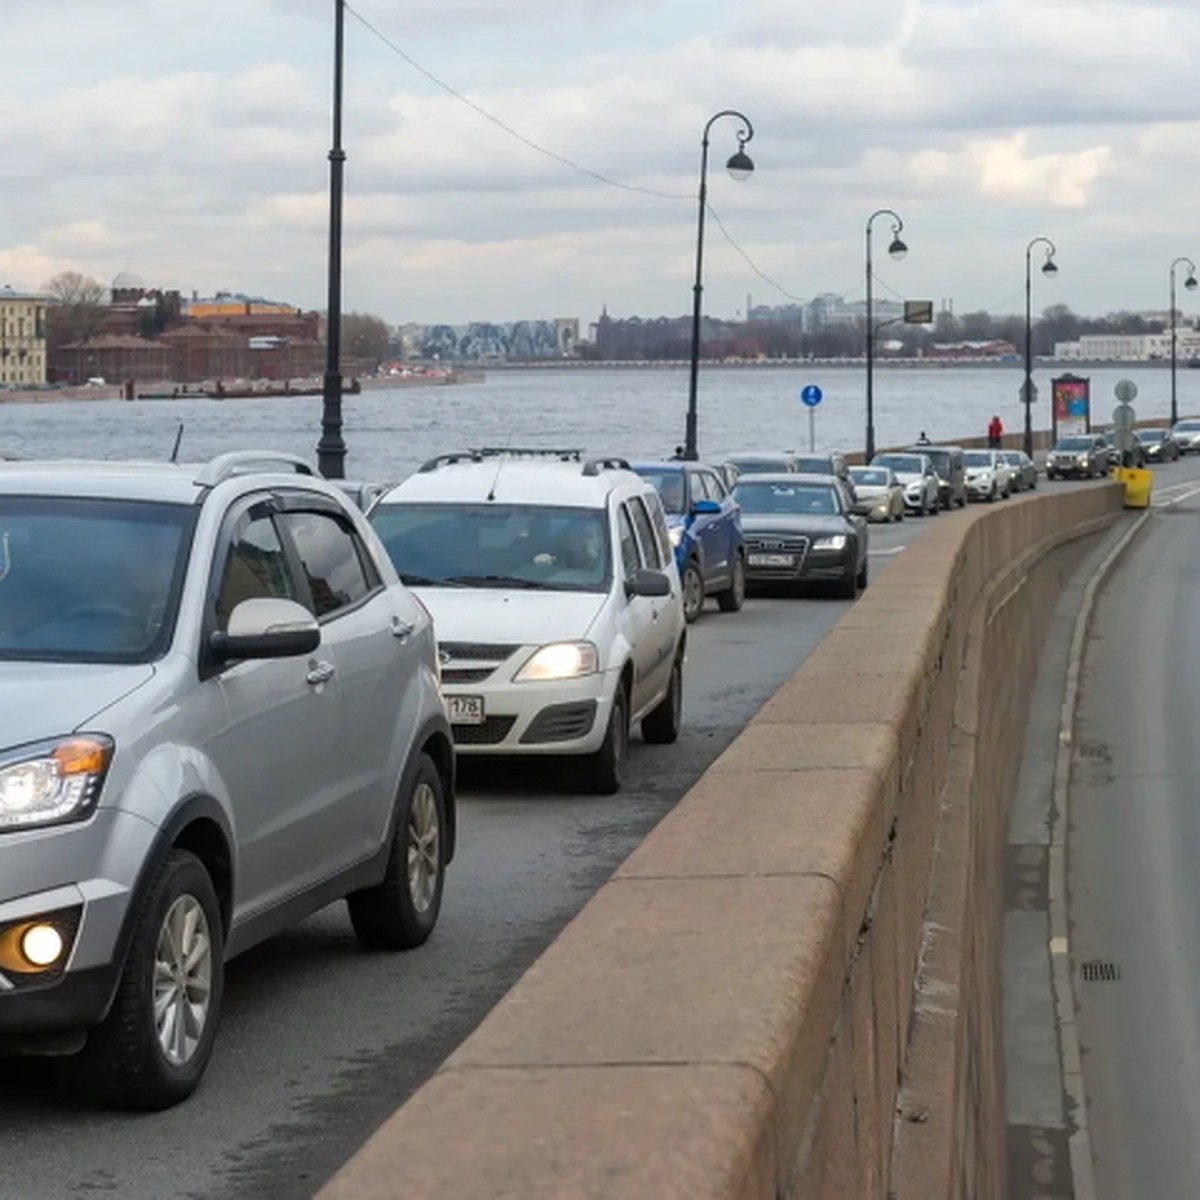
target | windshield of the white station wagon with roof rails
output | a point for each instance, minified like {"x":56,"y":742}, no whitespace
{"x":497,"y":545}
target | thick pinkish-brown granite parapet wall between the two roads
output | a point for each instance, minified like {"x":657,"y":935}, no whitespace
{"x":793,"y":987}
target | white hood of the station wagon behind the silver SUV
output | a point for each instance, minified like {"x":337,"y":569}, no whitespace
{"x":519,"y":616}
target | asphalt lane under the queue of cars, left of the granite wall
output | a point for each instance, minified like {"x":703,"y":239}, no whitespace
{"x":321,"y":1042}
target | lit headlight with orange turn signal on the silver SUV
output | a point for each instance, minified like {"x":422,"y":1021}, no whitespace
{"x":53,"y":782}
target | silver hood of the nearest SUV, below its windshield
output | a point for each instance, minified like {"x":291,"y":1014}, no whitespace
{"x":46,"y":700}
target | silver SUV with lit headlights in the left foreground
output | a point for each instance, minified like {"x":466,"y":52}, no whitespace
{"x":220,"y":711}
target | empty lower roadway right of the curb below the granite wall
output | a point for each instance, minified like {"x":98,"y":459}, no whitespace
{"x":1133,"y":844}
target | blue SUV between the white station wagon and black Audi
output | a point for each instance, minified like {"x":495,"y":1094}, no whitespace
{"x":705,"y":524}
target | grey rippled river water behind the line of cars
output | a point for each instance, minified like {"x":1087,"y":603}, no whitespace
{"x":629,"y":411}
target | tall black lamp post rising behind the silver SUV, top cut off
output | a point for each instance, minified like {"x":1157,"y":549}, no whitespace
{"x":332,"y":448}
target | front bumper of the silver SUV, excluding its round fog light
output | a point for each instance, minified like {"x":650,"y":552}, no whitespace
{"x":89,"y":872}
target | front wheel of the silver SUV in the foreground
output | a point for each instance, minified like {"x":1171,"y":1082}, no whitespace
{"x":131,"y":1060}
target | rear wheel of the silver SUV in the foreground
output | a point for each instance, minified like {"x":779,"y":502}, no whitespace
{"x":400,"y":913}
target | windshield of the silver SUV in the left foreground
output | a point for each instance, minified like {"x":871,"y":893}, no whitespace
{"x":89,"y":580}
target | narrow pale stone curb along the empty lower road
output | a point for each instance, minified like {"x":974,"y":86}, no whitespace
{"x":1081,"y":1142}
